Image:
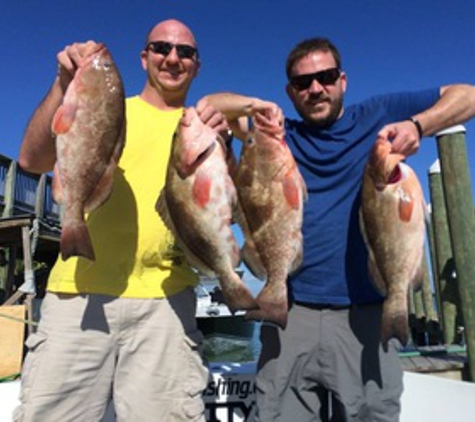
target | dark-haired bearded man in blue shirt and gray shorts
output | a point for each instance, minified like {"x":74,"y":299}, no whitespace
{"x":332,"y":339}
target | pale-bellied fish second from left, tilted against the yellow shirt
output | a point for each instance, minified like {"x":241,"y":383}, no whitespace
{"x":197,"y":205}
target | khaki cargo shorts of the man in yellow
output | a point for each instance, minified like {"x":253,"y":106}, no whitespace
{"x":145,"y":353}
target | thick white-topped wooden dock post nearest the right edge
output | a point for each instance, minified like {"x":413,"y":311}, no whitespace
{"x":459,"y":201}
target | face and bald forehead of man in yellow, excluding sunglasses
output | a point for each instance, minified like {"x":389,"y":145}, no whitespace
{"x":170,"y":72}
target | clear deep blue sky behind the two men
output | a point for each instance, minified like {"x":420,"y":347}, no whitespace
{"x":386,"y":46}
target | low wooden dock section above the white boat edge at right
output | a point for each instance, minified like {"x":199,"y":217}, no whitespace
{"x":443,"y":361}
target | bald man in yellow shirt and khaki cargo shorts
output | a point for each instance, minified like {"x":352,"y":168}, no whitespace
{"x":124,"y":325}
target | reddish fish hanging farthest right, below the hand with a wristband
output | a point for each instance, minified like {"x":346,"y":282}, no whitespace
{"x":392,"y":219}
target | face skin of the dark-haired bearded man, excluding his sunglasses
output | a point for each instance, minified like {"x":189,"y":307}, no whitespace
{"x":321,"y":103}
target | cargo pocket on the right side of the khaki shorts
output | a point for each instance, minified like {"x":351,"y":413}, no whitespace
{"x":197,"y":374}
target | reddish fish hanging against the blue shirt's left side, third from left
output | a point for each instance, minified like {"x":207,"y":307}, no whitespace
{"x":271,"y":194}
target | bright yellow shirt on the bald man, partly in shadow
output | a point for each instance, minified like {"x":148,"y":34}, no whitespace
{"x":136,"y":255}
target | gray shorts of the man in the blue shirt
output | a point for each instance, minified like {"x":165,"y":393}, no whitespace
{"x":328,"y":353}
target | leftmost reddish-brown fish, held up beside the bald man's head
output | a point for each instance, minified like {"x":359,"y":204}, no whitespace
{"x":90,"y":129}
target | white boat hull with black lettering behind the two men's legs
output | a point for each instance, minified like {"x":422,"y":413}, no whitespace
{"x":426,"y":398}
